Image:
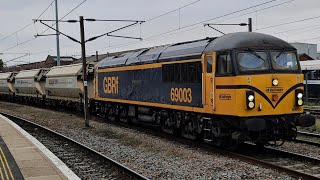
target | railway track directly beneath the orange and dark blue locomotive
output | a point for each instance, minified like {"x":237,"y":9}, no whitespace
{"x":268,"y":157}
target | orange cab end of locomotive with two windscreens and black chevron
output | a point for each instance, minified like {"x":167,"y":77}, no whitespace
{"x":254,"y":83}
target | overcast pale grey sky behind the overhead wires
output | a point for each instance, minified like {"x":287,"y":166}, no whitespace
{"x":180,"y":25}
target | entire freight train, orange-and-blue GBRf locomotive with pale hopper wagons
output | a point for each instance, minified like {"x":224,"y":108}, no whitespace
{"x":239,"y":87}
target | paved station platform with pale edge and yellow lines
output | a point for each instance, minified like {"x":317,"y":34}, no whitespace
{"x":23,"y":157}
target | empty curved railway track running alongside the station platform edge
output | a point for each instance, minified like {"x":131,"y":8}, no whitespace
{"x":82,"y":160}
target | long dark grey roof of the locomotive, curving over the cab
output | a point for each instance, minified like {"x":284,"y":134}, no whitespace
{"x":194,"y":49}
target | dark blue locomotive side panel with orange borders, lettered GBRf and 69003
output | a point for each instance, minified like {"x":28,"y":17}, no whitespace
{"x":144,"y":85}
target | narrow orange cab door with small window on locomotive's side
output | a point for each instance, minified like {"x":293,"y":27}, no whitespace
{"x":209,"y":74}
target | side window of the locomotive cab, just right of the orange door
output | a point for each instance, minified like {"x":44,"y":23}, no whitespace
{"x":224,"y":64}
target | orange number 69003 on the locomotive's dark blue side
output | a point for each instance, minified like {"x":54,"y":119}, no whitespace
{"x":181,"y":95}
